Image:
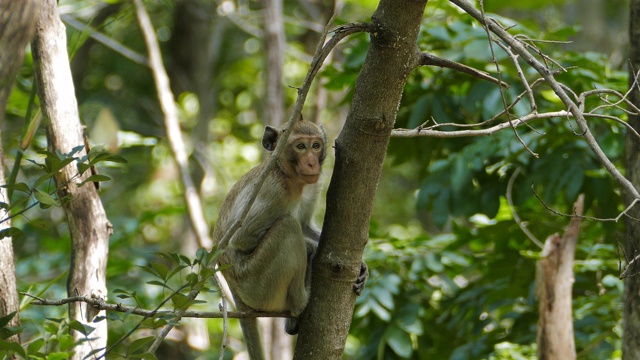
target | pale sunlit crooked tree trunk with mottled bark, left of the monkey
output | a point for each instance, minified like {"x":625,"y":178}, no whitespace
{"x":88,"y":224}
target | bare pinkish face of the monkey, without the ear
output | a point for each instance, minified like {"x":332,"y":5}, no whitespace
{"x":307,"y":157}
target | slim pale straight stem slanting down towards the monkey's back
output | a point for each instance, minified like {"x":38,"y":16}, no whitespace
{"x":172,"y":125}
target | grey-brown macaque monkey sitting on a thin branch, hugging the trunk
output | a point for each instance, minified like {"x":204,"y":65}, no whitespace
{"x":270,"y":255}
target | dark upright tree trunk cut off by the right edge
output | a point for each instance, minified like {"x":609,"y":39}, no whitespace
{"x":631,"y":312}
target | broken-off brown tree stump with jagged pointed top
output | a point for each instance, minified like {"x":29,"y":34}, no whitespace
{"x":554,"y":279}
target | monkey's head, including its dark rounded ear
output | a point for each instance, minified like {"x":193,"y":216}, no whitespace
{"x":304,"y":151}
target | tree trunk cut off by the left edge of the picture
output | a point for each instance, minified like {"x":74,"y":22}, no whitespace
{"x":17,"y":23}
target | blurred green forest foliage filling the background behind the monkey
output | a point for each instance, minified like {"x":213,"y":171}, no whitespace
{"x":452,"y":275}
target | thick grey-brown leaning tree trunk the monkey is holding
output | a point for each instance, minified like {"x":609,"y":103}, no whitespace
{"x":360,"y":150}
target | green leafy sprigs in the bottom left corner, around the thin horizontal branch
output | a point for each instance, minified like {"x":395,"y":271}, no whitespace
{"x":175,"y":275}
